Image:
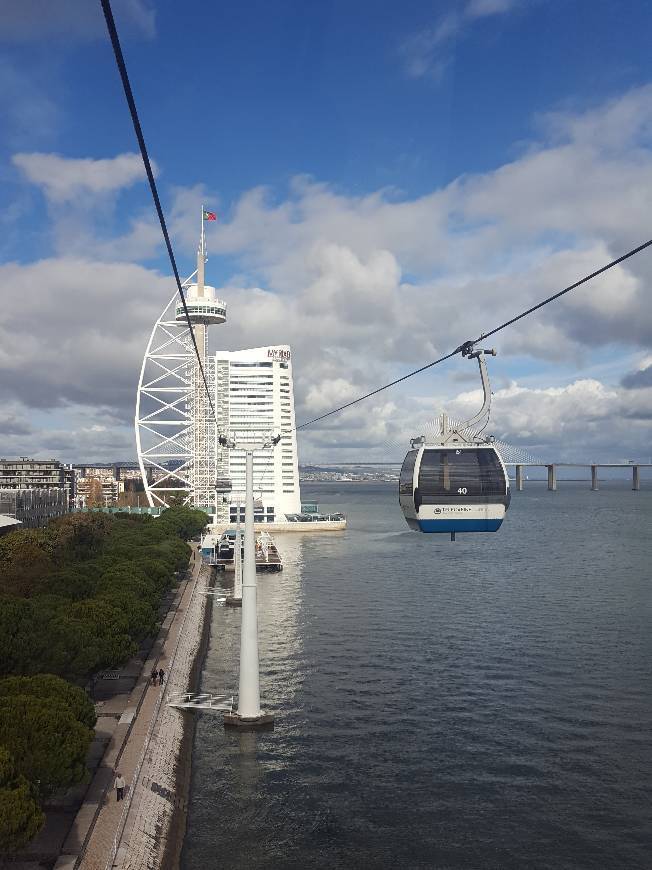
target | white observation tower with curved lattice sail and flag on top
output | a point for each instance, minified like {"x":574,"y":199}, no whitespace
{"x":180,"y":458}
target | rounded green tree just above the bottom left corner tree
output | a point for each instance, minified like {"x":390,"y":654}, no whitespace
{"x":48,"y":744}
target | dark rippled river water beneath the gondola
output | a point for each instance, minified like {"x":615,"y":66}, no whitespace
{"x":479,"y":704}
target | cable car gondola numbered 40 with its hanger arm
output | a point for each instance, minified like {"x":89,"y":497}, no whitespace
{"x":457,"y":482}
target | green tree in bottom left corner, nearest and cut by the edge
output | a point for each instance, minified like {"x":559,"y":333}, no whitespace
{"x":20,"y":815}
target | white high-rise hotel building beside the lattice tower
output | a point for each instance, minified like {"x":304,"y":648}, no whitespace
{"x":254,"y":399}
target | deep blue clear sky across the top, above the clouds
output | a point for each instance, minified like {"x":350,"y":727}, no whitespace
{"x":238,"y":95}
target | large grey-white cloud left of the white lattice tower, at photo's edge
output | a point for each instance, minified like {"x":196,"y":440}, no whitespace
{"x":73,"y":332}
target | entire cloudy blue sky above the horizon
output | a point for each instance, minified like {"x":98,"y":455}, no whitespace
{"x":390,"y":180}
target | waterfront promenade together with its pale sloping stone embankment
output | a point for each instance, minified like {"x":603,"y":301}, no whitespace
{"x":146,"y":747}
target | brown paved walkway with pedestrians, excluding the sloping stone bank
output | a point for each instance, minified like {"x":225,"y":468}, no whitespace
{"x":95,"y":834}
